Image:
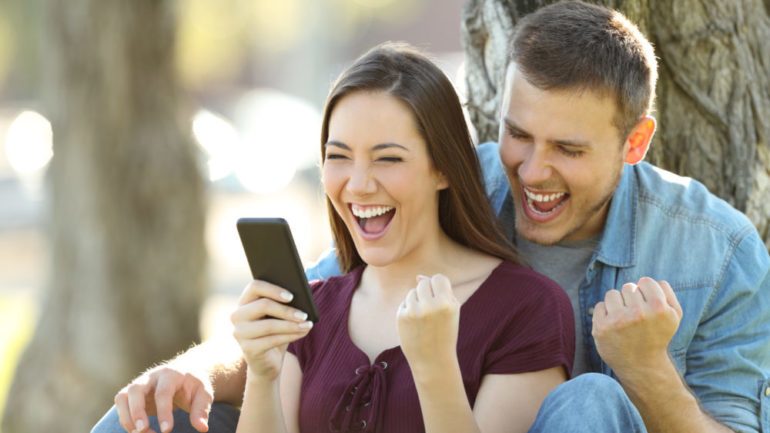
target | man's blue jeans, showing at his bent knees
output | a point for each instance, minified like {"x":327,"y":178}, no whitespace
{"x":589,"y":403}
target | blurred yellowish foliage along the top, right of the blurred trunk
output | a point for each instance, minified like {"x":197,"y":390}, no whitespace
{"x":216,"y":38}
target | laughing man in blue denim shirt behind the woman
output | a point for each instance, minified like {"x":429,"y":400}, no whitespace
{"x":670,"y":285}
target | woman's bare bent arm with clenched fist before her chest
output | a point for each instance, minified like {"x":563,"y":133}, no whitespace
{"x":428,"y":324}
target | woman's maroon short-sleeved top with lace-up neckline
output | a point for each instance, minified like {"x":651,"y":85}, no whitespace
{"x":517,"y":321}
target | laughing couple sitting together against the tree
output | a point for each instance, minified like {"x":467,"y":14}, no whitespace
{"x":568,"y":186}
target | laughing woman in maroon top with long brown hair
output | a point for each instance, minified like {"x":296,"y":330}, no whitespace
{"x":434,"y":326}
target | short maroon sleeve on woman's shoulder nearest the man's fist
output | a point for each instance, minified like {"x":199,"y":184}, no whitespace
{"x":540,"y":334}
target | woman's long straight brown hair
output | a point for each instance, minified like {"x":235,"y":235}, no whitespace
{"x":401,"y":71}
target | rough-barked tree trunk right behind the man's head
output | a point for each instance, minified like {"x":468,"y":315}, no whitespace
{"x":713,"y":95}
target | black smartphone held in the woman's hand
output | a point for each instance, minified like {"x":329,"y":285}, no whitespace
{"x":272,"y":257}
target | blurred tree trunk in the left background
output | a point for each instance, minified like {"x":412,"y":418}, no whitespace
{"x":126,"y":214}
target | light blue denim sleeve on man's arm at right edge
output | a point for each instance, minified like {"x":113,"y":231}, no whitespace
{"x":728,"y":360}
